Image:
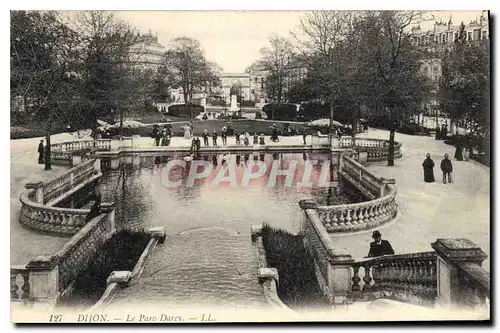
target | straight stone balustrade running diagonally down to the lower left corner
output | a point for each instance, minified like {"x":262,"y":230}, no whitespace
{"x":47,"y":278}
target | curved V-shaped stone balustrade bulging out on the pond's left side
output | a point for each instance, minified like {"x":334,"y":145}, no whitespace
{"x":37,"y":210}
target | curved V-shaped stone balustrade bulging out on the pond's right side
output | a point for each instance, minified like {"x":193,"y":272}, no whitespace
{"x":380,"y":208}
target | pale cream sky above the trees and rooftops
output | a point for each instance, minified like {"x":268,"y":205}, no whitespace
{"x":233,"y":39}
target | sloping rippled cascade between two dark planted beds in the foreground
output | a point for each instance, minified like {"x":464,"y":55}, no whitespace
{"x":200,"y":268}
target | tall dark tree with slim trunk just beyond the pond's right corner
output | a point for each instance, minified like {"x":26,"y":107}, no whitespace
{"x":389,"y":67}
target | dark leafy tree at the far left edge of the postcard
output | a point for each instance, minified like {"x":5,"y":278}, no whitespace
{"x":42,"y":69}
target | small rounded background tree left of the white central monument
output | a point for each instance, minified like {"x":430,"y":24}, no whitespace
{"x":186,"y":67}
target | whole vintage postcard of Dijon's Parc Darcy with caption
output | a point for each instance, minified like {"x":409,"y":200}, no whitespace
{"x":249,"y":166}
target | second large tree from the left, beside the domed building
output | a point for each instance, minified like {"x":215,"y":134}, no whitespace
{"x":106,"y":66}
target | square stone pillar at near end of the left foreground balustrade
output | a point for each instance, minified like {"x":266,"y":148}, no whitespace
{"x":44,"y":280}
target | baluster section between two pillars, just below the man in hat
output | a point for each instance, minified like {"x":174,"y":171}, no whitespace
{"x":405,"y":277}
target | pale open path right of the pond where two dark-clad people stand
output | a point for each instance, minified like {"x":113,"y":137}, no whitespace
{"x":429,"y":211}
